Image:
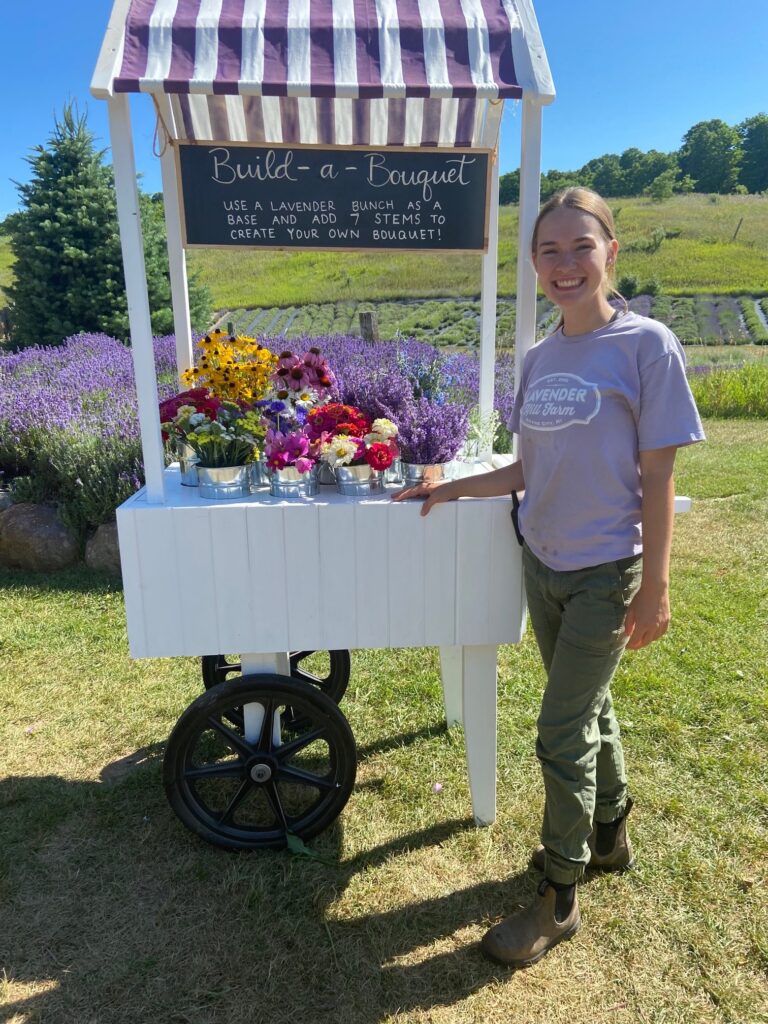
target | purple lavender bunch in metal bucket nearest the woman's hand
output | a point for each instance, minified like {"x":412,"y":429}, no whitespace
{"x":432,"y":434}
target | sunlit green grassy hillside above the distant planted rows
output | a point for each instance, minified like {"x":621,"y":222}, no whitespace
{"x":687,"y":244}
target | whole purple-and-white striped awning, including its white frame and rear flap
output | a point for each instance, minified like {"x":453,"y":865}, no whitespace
{"x":344,"y":72}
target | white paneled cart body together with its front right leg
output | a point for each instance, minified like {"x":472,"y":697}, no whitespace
{"x":262,"y":576}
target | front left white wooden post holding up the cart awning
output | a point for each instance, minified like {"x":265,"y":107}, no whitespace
{"x":139,"y":303}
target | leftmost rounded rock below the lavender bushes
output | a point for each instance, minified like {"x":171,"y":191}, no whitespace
{"x":32,"y":538}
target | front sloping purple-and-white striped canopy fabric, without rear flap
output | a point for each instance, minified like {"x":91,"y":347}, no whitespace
{"x":324,"y":49}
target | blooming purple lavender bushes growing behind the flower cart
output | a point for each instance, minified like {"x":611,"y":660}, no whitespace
{"x":69,"y":425}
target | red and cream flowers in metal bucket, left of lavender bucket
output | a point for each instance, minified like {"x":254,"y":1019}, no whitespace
{"x":356,"y":449}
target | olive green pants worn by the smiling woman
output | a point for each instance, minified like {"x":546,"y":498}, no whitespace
{"x":578,"y":619}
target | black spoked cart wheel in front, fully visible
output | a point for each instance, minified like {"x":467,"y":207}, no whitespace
{"x":235,"y":779}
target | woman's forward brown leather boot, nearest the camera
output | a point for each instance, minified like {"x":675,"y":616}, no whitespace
{"x":526,"y":936}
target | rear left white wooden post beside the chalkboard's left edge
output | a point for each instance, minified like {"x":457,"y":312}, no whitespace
{"x":177,"y":255}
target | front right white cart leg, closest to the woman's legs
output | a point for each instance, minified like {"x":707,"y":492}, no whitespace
{"x":480,"y":729}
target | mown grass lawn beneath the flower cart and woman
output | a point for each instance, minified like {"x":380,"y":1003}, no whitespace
{"x":114,"y":914}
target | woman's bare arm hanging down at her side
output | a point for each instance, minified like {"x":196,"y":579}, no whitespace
{"x":649,"y":615}
